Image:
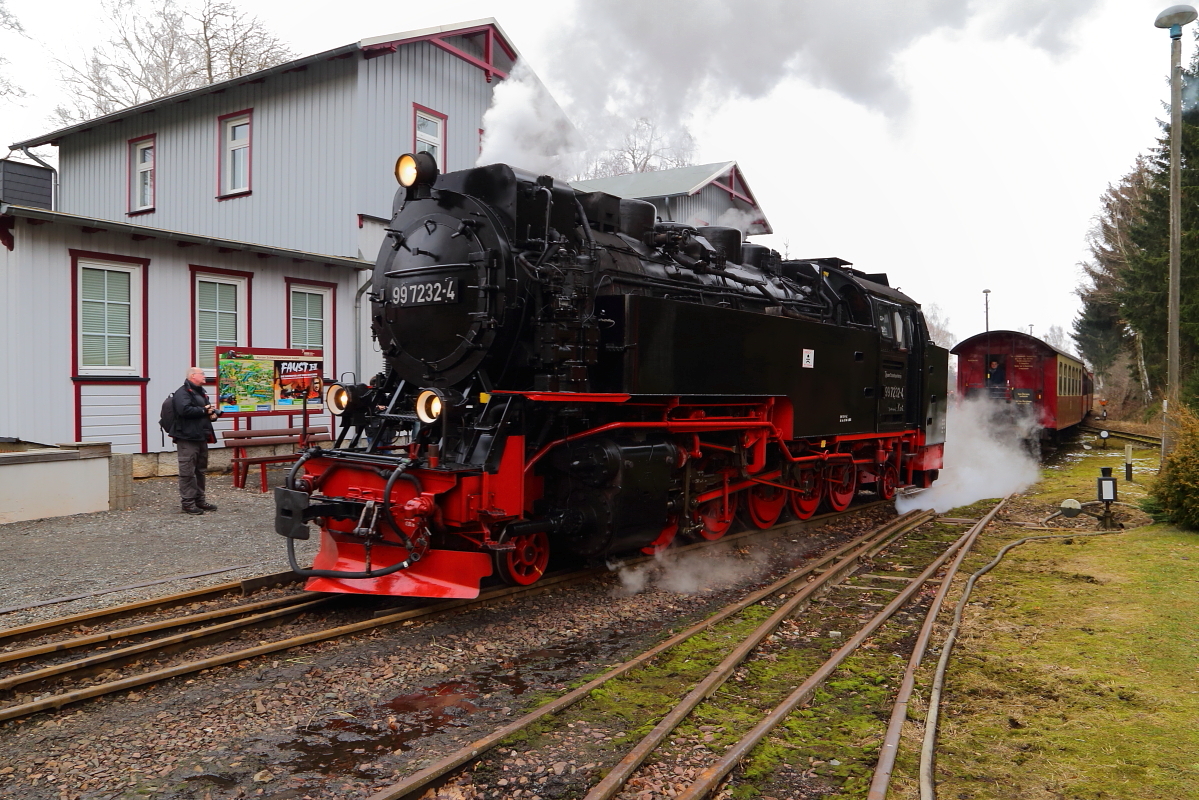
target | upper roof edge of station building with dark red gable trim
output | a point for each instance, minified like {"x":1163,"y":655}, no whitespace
{"x":369,"y":47}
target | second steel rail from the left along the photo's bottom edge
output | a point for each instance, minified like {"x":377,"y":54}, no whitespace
{"x":614,"y":781}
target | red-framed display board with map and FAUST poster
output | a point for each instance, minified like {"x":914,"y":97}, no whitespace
{"x":268,"y":381}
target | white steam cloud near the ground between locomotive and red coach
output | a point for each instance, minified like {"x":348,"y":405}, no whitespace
{"x":984,"y":458}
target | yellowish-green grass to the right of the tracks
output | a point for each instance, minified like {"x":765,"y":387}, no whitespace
{"x":1076,"y":677}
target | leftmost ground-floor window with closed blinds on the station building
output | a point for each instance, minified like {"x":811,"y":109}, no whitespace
{"x":110,"y":318}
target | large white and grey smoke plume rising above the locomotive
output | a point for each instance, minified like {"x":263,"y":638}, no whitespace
{"x":672,"y":61}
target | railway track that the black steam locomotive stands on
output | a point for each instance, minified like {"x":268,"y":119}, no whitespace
{"x":40,"y":671}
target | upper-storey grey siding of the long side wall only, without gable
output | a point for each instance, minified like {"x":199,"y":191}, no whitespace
{"x":302,"y":165}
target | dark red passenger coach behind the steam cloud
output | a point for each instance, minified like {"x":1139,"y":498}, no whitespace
{"x":1022,"y":370}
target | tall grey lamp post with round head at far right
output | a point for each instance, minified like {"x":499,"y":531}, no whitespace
{"x":1174,"y":19}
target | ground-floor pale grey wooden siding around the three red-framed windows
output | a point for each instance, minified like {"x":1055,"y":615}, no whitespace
{"x":38,"y":396}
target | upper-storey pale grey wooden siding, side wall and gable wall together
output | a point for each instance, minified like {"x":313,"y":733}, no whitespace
{"x":326,"y":143}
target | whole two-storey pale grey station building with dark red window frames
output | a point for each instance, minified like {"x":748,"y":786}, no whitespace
{"x":242,"y":214}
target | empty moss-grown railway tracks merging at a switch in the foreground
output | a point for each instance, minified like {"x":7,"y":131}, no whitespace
{"x":626,"y":771}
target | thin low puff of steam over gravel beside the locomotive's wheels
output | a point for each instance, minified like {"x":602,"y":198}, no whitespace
{"x":692,"y":573}
